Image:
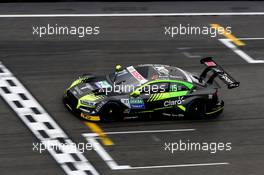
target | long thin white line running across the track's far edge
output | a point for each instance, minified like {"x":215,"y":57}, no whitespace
{"x":130,"y":14}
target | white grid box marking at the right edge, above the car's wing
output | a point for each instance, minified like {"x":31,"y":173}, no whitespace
{"x":239,"y":52}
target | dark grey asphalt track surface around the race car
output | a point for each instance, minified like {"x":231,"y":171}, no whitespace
{"x":47,"y":66}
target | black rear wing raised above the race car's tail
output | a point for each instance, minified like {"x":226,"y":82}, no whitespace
{"x":217,"y":71}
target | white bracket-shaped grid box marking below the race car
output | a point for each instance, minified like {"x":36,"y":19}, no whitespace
{"x":92,"y":138}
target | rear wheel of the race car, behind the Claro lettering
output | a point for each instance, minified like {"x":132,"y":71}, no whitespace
{"x":196,"y":109}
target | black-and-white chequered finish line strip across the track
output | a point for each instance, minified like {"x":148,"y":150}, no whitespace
{"x":42,"y":125}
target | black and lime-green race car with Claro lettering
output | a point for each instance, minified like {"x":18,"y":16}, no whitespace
{"x":148,"y":90}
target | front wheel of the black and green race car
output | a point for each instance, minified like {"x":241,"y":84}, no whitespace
{"x":111,"y":112}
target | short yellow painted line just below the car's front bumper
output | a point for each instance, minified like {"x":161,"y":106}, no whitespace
{"x":96,"y":129}
